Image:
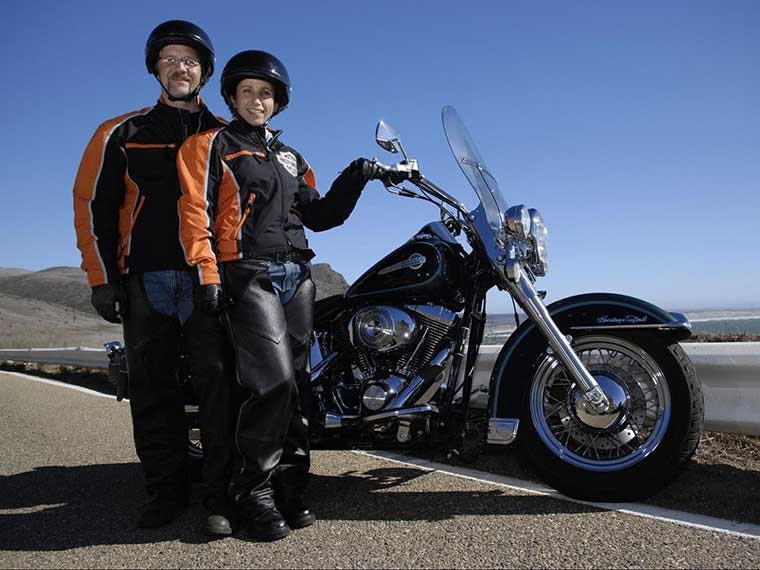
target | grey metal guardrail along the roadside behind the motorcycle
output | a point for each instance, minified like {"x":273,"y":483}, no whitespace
{"x":729,"y":373}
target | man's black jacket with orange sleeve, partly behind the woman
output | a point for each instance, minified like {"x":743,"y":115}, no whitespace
{"x":126,"y":191}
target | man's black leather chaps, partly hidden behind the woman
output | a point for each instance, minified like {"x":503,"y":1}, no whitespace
{"x":157,"y":403}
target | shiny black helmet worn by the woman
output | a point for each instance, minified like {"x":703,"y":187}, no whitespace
{"x":259,"y":65}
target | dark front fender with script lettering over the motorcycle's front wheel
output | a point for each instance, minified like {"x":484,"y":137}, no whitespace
{"x":591,"y":312}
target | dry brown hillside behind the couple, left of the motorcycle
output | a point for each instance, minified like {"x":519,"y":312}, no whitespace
{"x":52,"y":307}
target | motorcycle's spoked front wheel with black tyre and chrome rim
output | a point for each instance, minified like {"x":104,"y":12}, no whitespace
{"x":633,"y":450}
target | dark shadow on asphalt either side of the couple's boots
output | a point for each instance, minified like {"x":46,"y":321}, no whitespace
{"x":59,"y":508}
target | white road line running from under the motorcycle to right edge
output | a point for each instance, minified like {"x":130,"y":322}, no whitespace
{"x":637,"y":509}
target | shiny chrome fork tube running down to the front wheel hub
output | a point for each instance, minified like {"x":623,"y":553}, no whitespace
{"x":528,"y":299}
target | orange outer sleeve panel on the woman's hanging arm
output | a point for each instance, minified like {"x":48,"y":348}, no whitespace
{"x":199,"y":193}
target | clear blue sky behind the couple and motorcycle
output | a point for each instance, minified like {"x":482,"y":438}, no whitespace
{"x":633,"y":126}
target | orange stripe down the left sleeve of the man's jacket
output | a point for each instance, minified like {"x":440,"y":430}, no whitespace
{"x":86,"y":188}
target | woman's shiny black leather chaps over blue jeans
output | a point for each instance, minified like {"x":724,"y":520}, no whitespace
{"x":271,"y":345}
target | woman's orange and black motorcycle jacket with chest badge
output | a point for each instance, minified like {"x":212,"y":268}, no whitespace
{"x":244,"y":196}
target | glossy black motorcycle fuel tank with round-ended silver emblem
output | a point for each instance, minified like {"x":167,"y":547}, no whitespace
{"x":427,"y":268}
